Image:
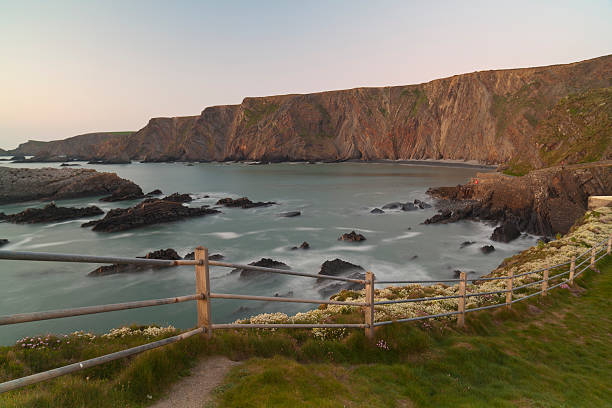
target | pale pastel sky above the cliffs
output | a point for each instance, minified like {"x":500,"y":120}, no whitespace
{"x":73,"y":67}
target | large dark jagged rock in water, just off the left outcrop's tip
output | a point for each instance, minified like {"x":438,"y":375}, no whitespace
{"x":151,"y":211}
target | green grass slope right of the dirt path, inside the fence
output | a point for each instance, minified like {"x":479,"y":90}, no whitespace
{"x":551,"y":352}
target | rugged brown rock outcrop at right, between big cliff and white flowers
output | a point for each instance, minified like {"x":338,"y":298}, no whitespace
{"x":543,"y":202}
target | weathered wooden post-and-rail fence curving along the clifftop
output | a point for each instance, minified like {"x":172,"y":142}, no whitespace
{"x":204,"y":295}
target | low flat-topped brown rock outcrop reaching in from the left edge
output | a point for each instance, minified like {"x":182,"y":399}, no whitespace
{"x":18,"y":184}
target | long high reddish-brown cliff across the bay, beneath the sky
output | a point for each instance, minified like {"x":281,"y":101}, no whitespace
{"x":523,"y":118}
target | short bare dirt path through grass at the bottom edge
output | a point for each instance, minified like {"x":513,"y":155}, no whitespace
{"x":194,"y":391}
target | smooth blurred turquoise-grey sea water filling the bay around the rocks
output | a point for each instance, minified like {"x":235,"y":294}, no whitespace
{"x":333,"y":199}
